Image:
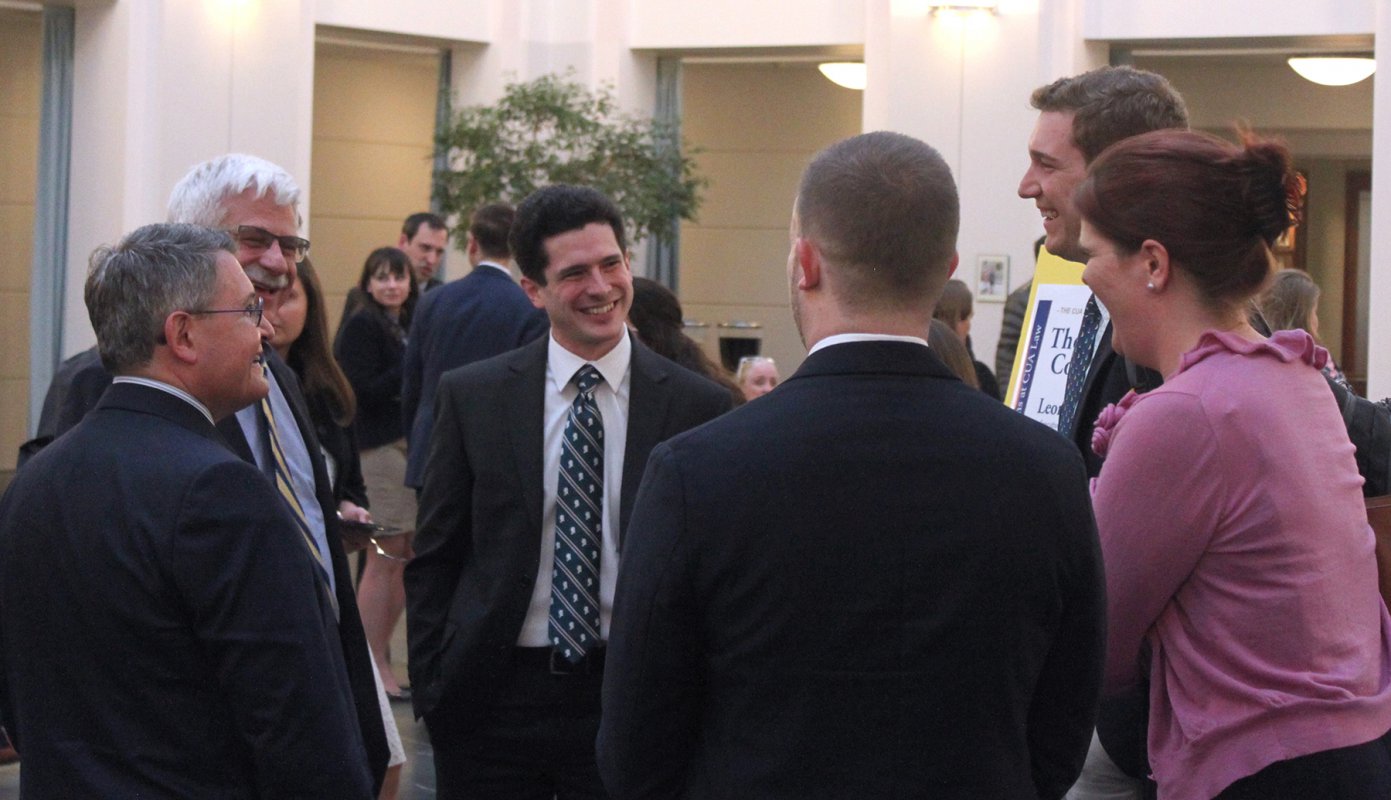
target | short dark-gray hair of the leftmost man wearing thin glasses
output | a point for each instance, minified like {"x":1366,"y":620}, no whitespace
{"x":136,"y":286}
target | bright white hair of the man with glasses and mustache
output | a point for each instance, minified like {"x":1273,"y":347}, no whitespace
{"x":198,"y":198}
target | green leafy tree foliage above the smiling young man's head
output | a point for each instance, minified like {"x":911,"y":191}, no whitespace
{"x":556,"y":131}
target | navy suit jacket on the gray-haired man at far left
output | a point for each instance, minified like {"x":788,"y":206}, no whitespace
{"x":163,"y":634}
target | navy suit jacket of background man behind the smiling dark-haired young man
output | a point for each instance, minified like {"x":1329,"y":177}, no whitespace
{"x":468,"y":321}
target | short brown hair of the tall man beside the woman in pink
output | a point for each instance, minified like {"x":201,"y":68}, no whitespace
{"x":1113,"y":104}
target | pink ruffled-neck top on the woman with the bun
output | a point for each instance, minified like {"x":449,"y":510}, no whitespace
{"x":1237,"y":546}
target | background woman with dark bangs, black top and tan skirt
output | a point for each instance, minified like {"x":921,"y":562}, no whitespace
{"x":372,"y":350}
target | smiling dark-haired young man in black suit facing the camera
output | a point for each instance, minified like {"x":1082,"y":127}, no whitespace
{"x":535,"y":463}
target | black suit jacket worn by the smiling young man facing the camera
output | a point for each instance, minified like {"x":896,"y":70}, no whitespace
{"x":479,"y":541}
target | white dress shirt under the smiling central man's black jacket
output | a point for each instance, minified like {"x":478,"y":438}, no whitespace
{"x":611,"y":399}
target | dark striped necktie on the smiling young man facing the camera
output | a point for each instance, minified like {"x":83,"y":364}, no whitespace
{"x":579,"y":506}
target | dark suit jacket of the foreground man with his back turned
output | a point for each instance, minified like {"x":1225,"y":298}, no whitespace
{"x":873,"y":582}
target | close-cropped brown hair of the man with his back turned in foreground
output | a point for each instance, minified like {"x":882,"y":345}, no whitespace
{"x":883,"y":208}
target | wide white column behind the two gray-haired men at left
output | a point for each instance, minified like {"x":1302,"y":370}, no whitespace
{"x":162,"y":86}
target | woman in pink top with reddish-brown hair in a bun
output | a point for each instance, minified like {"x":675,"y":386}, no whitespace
{"x":1240,"y":566}
